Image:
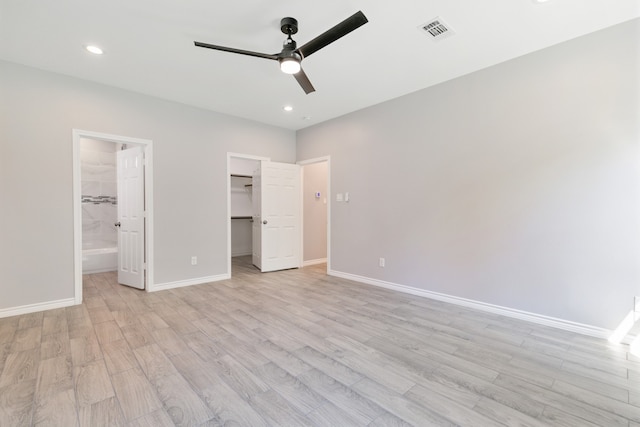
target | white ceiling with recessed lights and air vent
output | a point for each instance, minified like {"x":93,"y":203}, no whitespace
{"x":149,"y":47}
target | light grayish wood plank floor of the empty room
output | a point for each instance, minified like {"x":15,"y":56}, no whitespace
{"x":299,"y":348}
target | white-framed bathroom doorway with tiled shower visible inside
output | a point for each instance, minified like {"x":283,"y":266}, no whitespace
{"x":98,"y":237}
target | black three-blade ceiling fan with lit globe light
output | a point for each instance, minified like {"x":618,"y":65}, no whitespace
{"x":291,"y":56}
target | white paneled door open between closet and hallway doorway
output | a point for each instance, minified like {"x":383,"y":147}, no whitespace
{"x":277,"y":219}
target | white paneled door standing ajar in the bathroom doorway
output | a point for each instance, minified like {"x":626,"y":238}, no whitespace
{"x":131,"y":217}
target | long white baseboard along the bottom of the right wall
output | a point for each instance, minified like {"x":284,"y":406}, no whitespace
{"x":477,"y":305}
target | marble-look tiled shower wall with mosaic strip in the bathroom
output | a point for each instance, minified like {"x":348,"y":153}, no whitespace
{"x":99,"y":209}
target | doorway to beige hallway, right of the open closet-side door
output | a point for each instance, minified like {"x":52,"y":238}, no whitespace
{"x":316,"y":208}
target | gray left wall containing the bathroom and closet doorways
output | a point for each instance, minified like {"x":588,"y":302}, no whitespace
{"x":38,"y":111}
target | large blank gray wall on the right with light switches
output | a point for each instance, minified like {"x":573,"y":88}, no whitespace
{"x":517,"y":185}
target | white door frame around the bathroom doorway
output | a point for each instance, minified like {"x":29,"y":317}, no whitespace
{"x":77,"y":205}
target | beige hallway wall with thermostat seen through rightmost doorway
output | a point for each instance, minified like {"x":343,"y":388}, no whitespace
{"x":314,"y":211}
